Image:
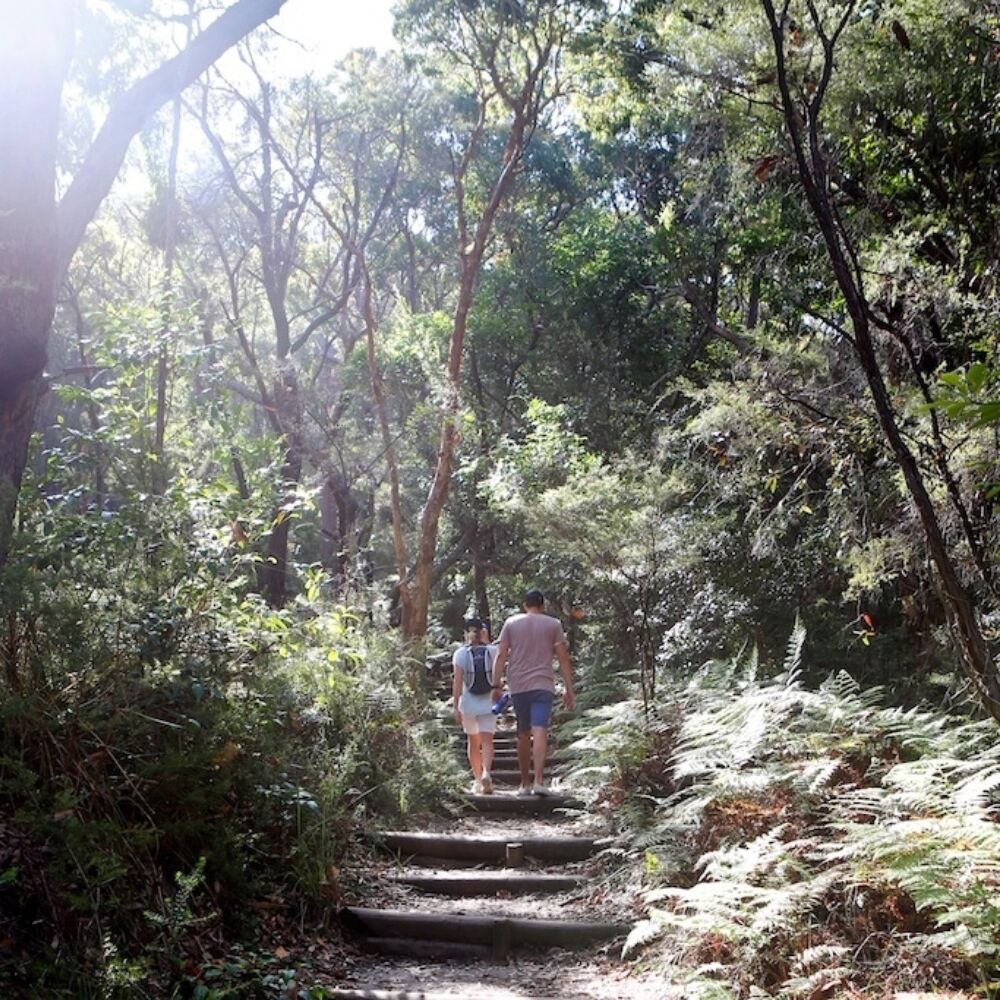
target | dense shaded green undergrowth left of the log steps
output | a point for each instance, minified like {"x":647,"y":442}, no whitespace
{"x":184,"y":769}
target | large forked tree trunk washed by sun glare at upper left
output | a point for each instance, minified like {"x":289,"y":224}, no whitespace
{"x":37,"y":239}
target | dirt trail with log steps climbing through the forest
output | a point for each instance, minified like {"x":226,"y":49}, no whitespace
{"x":510,"y":901}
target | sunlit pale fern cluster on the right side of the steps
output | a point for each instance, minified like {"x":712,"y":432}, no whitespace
{"x":816,"y":842}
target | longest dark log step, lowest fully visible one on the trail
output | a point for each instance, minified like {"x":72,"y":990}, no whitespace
{"x":500,"y":934}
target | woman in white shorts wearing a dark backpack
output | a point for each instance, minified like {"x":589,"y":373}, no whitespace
{"x":474,"y":665}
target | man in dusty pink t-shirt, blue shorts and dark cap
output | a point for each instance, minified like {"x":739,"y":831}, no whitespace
{"x":528,"y":642}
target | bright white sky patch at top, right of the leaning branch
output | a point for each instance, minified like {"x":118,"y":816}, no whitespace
{"x":328,"y":29}
